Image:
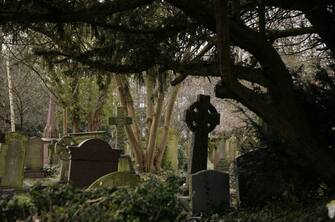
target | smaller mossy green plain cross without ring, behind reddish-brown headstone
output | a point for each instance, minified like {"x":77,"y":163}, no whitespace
{"x":121,"y":120}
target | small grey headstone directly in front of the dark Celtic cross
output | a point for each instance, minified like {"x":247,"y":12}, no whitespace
{"x":210,"y":191}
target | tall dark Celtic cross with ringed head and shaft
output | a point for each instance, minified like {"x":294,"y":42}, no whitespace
{"x":201,"y":117}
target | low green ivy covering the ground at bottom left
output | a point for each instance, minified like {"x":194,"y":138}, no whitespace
{"x":153,"y":200}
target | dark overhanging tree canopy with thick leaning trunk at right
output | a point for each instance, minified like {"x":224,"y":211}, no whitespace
{"x":132,"y":36}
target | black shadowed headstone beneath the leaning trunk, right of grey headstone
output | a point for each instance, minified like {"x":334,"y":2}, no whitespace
{"x":260,"y":177}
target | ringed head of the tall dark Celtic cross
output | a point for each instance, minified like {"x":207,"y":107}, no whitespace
{"x":202,"y":115}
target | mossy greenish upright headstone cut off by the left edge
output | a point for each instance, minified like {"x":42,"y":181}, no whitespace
{"x":12,"y":158}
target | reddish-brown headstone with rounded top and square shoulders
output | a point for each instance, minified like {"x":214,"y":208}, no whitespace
{"x":90,"y":160}
